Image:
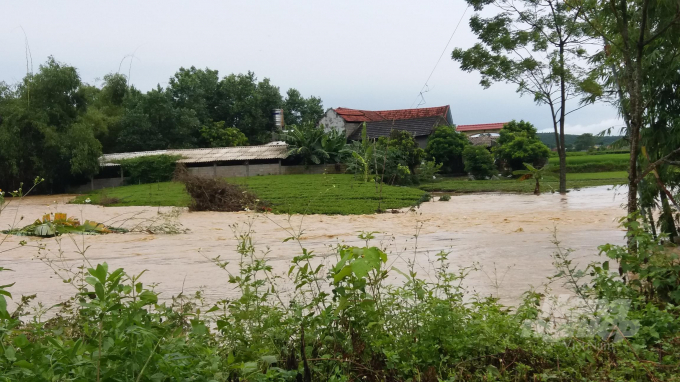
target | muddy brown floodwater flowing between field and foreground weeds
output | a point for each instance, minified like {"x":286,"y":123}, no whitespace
{"x":508,"y":235}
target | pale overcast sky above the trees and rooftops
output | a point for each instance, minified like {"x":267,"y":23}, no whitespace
{"x":372,"y":55}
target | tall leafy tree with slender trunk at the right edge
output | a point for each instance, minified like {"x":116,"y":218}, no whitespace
{"x":640,"y":56}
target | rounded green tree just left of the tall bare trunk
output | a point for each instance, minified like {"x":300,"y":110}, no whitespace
{"x":518,"y":144}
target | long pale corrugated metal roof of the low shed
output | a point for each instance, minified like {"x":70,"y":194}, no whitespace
{"x":217,"y":154}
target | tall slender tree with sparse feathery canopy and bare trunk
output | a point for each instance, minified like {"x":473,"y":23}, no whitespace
{"x":534,"y":44}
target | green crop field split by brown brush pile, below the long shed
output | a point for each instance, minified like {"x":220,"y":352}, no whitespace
{"x":305,"y":194}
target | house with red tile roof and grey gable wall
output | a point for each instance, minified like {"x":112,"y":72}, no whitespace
{"x":419,"y":122}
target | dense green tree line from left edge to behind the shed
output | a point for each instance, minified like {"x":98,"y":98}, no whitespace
{"x":55,"y":125}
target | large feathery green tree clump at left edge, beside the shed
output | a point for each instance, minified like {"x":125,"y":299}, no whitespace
{"x":45,"y":128}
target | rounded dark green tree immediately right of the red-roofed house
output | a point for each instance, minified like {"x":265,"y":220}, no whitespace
{"x":446,"y":146}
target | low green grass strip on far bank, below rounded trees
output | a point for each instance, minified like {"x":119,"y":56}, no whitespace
{"x":580,"y":180}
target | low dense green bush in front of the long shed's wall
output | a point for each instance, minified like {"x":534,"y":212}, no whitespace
{"x":150,"y":169}
